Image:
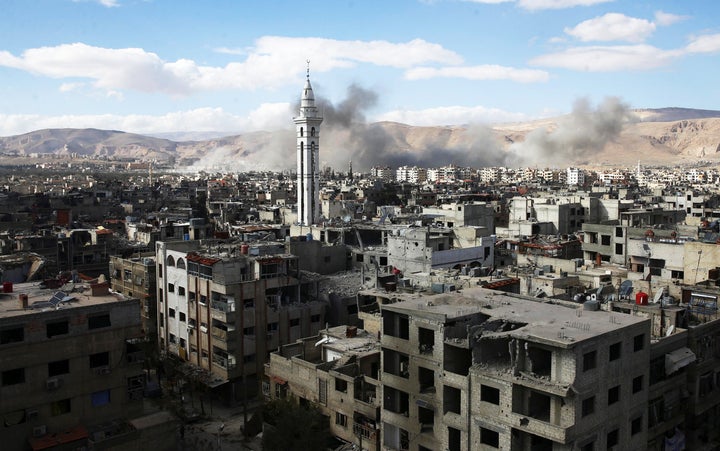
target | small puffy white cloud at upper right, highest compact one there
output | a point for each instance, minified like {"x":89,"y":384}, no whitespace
{"x":612,"y":27}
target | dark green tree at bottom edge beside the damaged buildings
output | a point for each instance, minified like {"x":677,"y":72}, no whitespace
{"x":295,"y":427}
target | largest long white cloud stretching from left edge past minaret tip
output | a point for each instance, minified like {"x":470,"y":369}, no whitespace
{"x":271,"y":63}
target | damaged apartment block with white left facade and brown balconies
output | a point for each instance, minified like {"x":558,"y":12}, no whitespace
{"x":223,"y":307}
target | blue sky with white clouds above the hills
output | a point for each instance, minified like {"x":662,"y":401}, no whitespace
{"x":150,"y":66}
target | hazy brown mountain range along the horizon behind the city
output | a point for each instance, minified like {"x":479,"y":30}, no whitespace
{"x":609,"y":136}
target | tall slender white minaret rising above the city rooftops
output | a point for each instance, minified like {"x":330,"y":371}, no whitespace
{"x":307,"y":126}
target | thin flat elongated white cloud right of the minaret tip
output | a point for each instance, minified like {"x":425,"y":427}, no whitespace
{"x":483,"y":72}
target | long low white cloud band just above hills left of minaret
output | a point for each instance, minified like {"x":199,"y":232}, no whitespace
{"x":271,"y":116}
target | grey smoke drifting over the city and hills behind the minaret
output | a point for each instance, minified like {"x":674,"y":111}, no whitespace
{"x":346,"y":135}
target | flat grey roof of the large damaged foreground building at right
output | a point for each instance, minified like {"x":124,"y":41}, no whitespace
{"x":559,"y":323}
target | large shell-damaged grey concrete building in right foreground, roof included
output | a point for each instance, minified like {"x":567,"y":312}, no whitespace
{"x":484,"y":370}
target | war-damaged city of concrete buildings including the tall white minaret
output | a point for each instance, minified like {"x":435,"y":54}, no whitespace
{"x":148,"y":306}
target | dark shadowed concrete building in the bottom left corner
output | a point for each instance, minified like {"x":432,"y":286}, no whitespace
{"x":71,"y":375}
